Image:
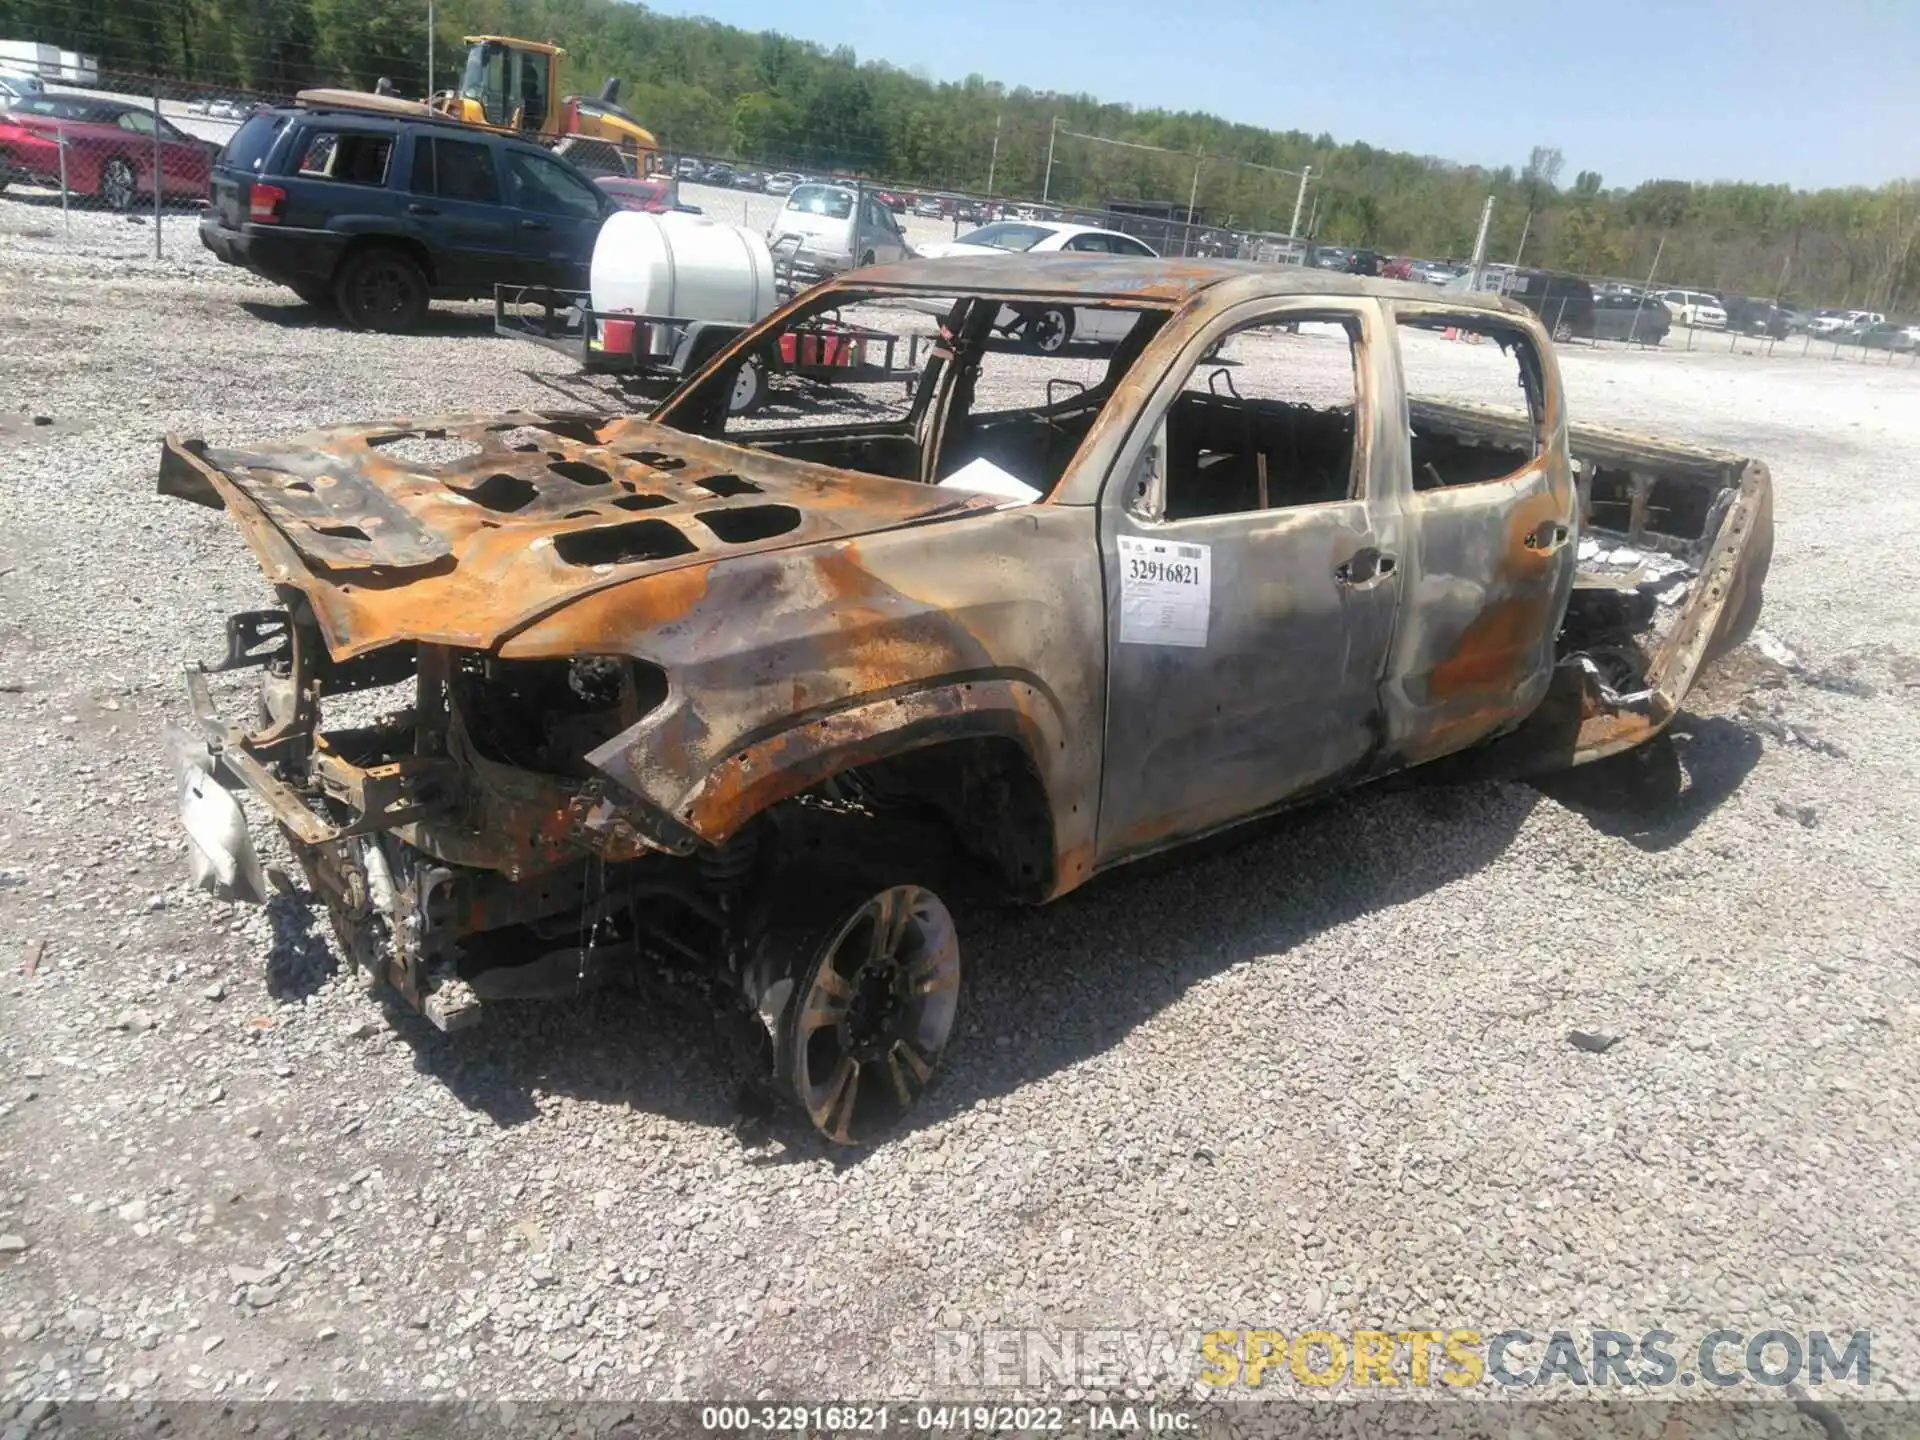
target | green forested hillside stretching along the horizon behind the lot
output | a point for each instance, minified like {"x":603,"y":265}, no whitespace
{"x":721,"y":91}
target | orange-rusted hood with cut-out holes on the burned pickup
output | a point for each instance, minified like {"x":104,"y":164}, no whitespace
{"x":516,"y":516}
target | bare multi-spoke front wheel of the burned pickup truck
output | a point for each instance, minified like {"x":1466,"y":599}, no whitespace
{"x":865,"y":994}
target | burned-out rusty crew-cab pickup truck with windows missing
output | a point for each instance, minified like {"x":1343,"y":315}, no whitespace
{"x":752,"y":702}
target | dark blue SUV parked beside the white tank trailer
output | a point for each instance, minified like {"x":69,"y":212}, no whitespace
{"x":379,"y":210}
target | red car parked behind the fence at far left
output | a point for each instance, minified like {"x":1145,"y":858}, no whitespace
{"x":110,"y":151}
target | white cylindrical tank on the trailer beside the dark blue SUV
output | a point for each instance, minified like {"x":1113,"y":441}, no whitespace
{"x":679,"y":266}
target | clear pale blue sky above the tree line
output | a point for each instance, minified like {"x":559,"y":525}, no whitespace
{"x":1815,"y":93}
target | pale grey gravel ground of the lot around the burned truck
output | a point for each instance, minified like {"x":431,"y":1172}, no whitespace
{"x":1320,"y":1076}
